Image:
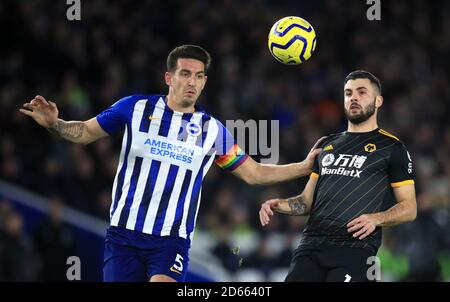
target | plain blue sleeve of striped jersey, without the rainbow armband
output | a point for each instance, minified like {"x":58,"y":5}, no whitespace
{"x":115,"y":117}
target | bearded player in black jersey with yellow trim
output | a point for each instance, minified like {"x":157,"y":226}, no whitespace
{"x":350,"y":193}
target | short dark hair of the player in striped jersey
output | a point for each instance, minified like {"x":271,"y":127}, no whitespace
{"x":188,"y":52}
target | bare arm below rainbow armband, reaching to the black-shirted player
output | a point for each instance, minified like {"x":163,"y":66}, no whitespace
{"x":255,"y":173}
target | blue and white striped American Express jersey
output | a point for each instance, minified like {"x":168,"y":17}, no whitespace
{"x":164,"y":157}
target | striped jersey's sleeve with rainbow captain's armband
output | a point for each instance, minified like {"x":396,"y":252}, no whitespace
{"x":228,"y":154}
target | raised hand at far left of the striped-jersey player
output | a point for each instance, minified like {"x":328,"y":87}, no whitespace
{"x":44,"y":112}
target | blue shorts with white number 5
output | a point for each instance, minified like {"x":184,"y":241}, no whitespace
{"x":135,"y":257}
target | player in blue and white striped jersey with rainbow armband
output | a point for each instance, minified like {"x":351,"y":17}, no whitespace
{"x":168,"y":146}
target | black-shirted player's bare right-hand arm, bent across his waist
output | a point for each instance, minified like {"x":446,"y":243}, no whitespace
{"x":404,"y":211}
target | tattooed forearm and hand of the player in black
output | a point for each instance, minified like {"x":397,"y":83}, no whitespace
{"x":299,"y":205}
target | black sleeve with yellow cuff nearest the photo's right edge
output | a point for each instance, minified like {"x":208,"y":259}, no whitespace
{"x":400,"y":167}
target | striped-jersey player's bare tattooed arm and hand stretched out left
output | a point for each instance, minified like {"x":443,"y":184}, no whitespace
{"x":45,"y":113}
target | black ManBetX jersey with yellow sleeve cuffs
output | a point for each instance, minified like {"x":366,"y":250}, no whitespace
{"x":356,"y":173}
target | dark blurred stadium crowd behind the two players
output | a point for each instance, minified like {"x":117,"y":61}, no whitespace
{"x":119,"y":48}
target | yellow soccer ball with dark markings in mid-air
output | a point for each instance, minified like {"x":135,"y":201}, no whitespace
{"x":292,"y":40}
